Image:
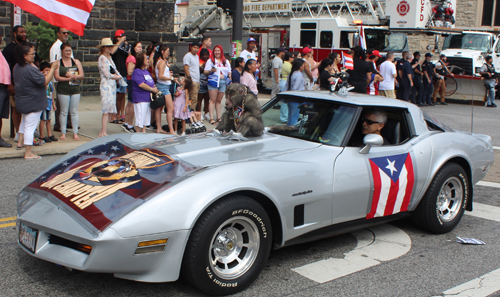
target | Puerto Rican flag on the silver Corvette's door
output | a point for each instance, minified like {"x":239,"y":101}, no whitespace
{"x":393,"y":180}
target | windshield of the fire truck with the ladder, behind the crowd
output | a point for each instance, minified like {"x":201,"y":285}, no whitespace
{"x":383,"y":40}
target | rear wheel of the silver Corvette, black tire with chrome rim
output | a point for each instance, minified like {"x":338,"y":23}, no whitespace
{"x":443,"y":204}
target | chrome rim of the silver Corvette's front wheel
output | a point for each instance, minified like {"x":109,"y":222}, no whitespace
{"x":234,"y":247}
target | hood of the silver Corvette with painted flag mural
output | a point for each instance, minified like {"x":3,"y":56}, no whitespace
{"x":106,"y":181}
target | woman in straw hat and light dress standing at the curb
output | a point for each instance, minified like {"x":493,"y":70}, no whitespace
{"x":109,"y":77}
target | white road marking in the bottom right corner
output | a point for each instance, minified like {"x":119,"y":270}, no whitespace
{"x":481,"y":286}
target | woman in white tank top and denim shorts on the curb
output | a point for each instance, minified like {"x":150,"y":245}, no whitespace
{"x":164,"y":80}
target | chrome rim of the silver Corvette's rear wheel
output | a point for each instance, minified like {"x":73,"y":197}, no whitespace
{"x":450,"y":199}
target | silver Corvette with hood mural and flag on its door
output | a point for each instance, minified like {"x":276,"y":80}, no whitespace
{"x":149,"y":207}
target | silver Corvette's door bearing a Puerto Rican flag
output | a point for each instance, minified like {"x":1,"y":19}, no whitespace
{"x":382,"y":182}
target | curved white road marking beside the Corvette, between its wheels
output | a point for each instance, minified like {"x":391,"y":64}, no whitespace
{"x":375,"y":245}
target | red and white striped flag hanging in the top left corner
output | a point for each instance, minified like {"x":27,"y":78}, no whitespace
{"x":69,"y":14}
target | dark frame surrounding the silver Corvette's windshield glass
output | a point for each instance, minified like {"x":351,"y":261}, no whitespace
{"x":283,"y":96}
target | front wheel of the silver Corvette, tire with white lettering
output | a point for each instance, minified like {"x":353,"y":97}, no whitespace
{"x":234,"y":233}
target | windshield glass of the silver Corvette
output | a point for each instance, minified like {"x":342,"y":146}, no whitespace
{"x":321,"y":121}
